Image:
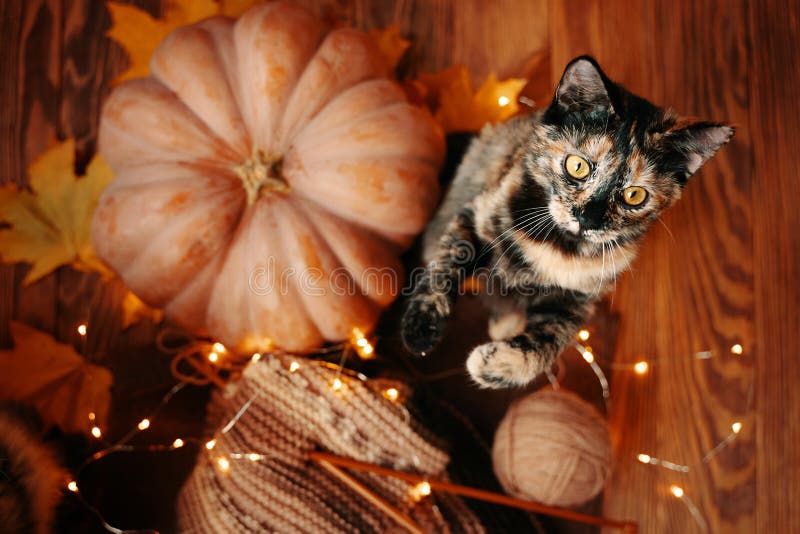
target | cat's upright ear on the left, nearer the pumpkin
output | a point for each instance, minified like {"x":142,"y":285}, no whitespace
{"x":583,"y":89}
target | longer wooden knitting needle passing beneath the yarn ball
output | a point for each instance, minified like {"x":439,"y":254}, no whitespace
{"x":629,"y":527}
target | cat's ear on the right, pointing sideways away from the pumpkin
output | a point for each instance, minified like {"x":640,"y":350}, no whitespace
{"x":688,"y":145}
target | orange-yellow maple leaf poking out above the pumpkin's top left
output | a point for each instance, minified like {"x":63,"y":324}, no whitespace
{"x":139,"y":33}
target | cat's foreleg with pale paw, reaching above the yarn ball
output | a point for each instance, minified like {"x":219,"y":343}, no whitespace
{"x":516,"y":361}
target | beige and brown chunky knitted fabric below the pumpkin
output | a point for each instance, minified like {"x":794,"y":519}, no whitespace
{"x":290,"y":414}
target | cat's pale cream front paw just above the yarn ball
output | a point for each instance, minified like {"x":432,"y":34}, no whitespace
{"x":500,"y":364}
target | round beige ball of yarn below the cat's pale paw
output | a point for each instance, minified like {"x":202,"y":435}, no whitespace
{"x":552,"y":447}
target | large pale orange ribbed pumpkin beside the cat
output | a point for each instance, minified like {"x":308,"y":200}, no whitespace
{"x":267,"y":175}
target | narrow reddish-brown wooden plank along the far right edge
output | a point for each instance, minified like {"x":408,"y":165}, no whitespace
{"x":774,"y":86}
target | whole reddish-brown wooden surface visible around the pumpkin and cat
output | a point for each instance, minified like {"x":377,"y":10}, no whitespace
{"x":725,"y":272}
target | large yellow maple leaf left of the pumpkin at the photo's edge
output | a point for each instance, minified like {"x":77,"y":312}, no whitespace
{"x":51,"y":226}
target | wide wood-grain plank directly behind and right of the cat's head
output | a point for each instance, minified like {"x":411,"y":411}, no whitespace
{"x":690,"y":292}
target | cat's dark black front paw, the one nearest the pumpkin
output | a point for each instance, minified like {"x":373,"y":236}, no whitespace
{"x":424,"y":322}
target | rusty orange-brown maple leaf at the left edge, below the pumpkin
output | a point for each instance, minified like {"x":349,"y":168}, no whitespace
{"x":56,"y":380}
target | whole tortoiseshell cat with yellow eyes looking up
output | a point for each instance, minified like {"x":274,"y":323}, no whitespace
{"x":549,"y":208}
